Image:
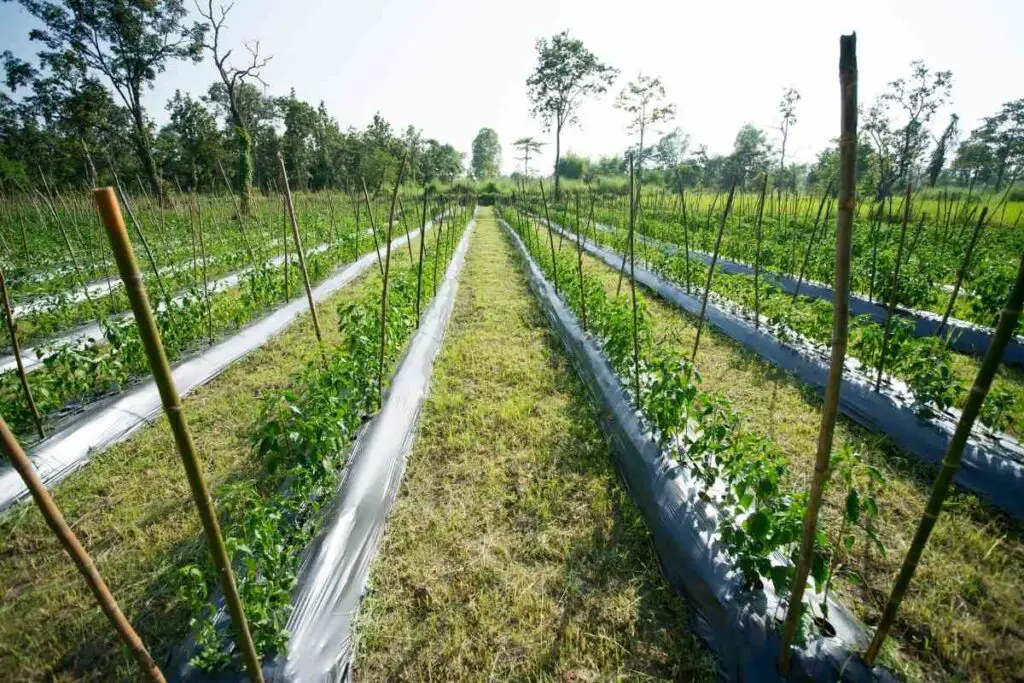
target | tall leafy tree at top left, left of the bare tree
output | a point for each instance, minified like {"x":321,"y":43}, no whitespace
{"x":130,"y":44}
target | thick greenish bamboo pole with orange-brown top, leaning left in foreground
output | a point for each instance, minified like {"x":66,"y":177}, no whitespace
{"x":129,"y":268}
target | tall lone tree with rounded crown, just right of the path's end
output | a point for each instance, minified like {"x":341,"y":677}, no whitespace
{"x":567,"y":74}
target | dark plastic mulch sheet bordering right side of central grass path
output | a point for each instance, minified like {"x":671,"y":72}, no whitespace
{"x":740,"y":626}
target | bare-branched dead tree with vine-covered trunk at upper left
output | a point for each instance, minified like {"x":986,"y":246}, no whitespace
{"x":234,"y":79}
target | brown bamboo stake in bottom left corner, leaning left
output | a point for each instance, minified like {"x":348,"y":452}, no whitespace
{"x":55,"y":520}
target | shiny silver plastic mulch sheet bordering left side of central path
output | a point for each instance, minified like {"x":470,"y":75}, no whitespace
{"x":334,"y":571}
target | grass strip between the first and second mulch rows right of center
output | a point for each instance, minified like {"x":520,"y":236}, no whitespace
{"x":961,"y":620}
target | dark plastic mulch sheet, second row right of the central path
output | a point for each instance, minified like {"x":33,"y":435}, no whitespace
{"x":993,"y":465}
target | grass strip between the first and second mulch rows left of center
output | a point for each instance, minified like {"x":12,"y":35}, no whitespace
{"x":133,"y":510}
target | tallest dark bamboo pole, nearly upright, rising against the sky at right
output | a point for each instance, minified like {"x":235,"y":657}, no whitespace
{"x":841,"y":316}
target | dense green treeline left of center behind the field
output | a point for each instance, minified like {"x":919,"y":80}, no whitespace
{"x":75,"y":114}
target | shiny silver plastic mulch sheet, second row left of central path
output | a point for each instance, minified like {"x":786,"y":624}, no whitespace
{"x":67,"y":451}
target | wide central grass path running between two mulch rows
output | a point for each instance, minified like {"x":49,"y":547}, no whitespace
{"x":514,"y":552}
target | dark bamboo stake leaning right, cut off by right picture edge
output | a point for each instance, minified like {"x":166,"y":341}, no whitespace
{"x":952,"y":461}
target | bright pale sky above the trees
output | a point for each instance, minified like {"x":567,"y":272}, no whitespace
{"x":452,"y":67}
